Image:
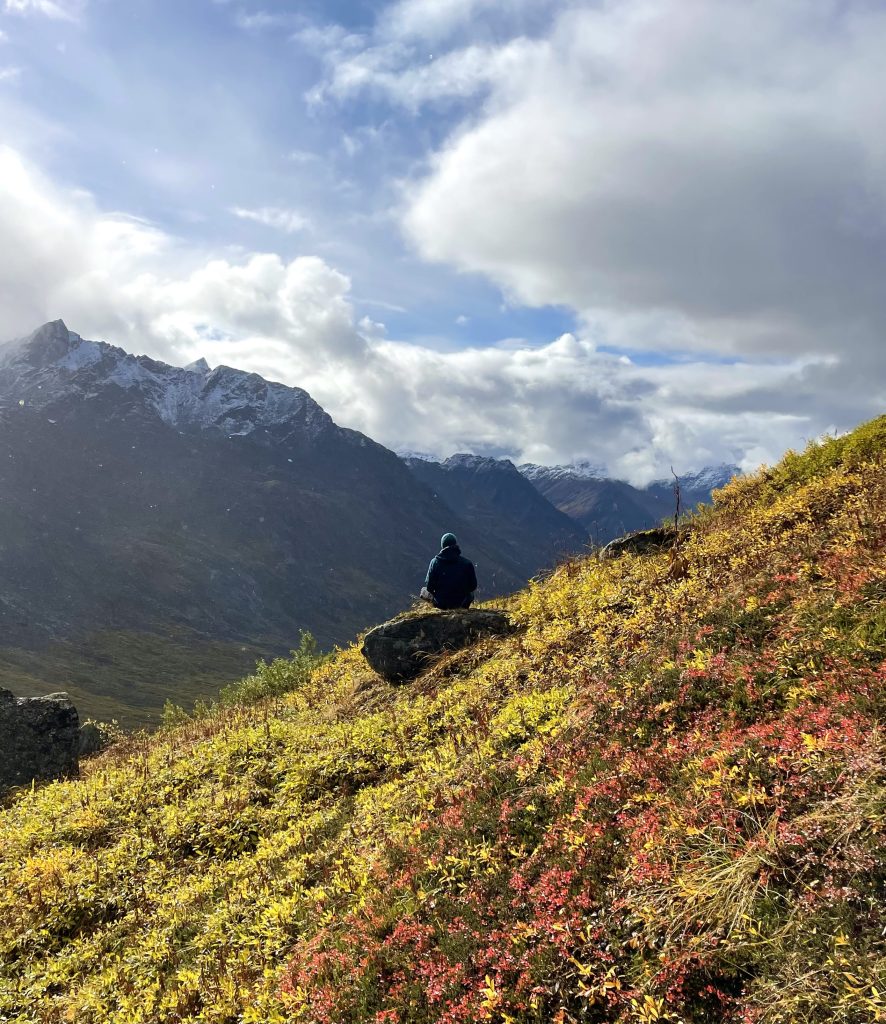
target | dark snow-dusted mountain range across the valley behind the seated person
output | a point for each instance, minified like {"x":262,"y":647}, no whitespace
{"x":162,"y":527}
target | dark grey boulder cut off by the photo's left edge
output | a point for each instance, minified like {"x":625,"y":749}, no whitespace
{"x":39,"y":740}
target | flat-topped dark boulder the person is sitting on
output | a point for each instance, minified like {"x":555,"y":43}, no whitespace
{"x":402,"y":650}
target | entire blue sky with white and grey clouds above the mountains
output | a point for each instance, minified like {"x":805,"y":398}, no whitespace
{"x":644,"y":234}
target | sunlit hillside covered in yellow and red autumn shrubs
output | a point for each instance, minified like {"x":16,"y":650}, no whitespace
{"x":663,"y":800}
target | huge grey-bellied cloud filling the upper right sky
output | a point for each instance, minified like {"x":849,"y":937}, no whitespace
{"x":686,"y":175}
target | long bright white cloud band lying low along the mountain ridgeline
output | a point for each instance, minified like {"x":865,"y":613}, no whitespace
{"x":122,"y":280}
